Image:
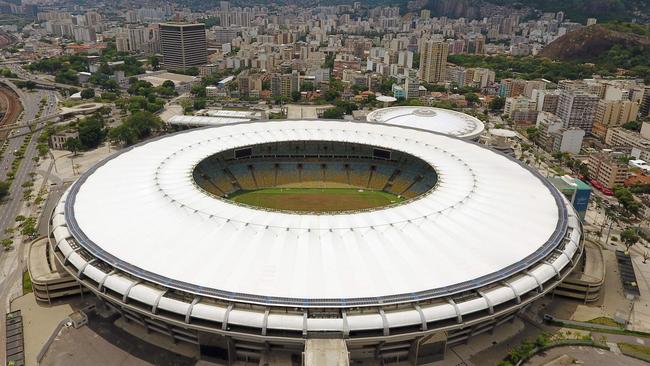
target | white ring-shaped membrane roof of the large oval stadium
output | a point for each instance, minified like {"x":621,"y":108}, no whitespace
{"x":487,"y":218}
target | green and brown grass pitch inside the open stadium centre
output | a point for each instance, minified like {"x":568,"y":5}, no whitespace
{"x":315,"y":199}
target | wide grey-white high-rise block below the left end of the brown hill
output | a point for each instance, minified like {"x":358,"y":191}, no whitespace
{"x":577,"y":109}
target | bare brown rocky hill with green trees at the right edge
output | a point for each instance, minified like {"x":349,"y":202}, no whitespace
{"x":613,"y":46}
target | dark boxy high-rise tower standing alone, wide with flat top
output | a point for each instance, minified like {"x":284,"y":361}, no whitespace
{"x":183,"y":45}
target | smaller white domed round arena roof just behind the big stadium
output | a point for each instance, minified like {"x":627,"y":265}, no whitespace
{"x":440,"y":120}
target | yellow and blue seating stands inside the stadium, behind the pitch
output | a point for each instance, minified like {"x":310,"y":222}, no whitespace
{"x":315,"y":164}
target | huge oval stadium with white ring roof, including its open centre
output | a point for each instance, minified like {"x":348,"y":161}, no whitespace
{"x":261,"y":241}
